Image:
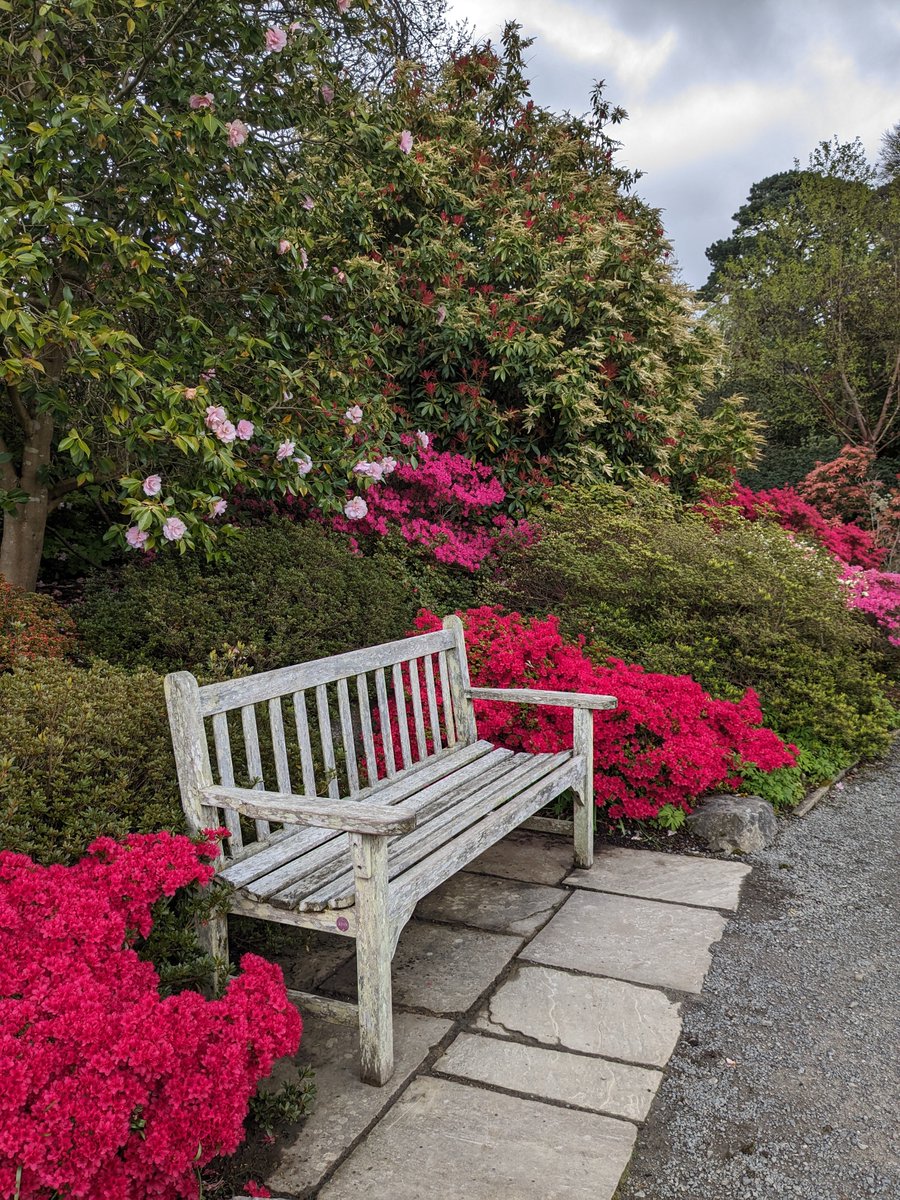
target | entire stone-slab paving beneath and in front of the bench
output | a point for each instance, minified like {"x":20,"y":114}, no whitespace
{"x":535,"y":1011}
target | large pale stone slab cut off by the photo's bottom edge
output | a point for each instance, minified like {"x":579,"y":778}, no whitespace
{"x":443,"y":1139}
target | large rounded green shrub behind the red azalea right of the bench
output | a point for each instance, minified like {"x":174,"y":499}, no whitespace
{"x":735,"y":607}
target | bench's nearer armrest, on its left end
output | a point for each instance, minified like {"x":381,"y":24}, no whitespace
{"x":352,"y":817}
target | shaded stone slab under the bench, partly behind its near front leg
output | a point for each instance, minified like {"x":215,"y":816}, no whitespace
{"x":439,"y":969}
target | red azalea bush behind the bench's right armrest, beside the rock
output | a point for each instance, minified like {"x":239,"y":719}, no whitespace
{"x":665,"y":745}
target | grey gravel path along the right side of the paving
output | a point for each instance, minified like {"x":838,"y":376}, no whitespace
{"x":787,"y":1081}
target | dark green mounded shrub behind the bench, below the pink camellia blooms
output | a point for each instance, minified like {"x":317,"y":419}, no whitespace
{"x":290,"y":593}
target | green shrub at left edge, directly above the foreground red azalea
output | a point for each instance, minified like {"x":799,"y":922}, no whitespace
{"x":83,"y":752}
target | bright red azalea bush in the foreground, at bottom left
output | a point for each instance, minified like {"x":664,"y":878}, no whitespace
{"x":110,"y":1090}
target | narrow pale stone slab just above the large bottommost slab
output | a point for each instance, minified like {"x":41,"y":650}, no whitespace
{"x":595,"y":1084}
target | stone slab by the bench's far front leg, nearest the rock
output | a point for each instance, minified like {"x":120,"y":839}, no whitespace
{"x":680,"y":879}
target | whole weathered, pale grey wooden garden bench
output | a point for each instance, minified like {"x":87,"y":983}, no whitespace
{"x":386,"y":813}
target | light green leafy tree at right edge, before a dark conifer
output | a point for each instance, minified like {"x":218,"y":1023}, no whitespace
{"x":812,"y":309}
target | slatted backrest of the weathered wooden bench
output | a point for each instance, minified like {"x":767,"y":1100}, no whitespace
{"x":311,"y":729}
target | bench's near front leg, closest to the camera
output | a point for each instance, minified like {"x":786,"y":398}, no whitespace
{"x":375,"y":950}
